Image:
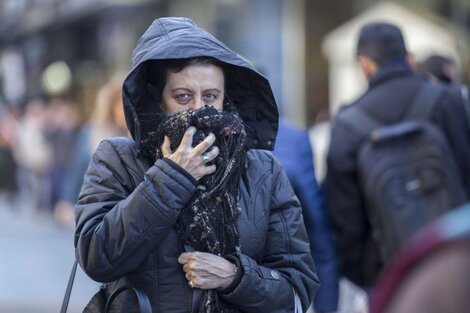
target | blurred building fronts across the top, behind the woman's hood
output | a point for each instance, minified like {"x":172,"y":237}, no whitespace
{"x":95,"y":38}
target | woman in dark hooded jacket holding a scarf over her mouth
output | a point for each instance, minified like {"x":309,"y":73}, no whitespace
{"x":193,"y":213}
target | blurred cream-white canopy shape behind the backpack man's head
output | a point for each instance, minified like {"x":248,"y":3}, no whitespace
{"x":423,"y":36}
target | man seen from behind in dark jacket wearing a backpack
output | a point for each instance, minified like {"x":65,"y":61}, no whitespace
{"x":398,"y":157}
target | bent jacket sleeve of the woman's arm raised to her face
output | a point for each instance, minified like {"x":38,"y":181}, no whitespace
{"x":118,"y":222}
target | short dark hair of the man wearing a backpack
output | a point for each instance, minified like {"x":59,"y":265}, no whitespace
{"x":382,"y":42}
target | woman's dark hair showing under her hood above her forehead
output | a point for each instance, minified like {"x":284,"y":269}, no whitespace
{"x":157,"y":72}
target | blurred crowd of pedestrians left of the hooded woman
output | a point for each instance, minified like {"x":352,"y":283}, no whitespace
{"x":46,"y":144}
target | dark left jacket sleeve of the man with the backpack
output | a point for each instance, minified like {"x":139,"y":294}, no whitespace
{"x":345,"y":204}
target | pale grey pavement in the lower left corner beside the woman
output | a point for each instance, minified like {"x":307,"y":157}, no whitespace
{"x":35,"y":263}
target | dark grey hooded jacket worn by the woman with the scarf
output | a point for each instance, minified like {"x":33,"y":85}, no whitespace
{"x":128,"y":205}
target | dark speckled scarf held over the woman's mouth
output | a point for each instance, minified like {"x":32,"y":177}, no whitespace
{"x":208,"y":220}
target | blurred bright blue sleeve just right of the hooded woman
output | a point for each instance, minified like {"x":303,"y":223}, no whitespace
{"x":318,"y":228}
